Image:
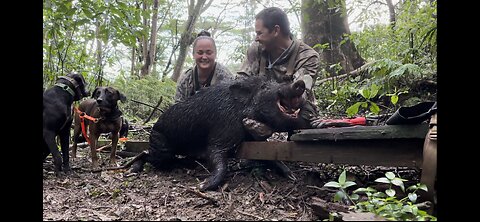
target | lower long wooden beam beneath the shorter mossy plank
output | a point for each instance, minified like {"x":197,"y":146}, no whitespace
{"x":391,"y":152}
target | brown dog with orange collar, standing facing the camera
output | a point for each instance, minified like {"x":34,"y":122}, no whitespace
{"x":104,"y":108}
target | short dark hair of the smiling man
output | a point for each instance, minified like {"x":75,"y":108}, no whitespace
{"x":274,"y":16}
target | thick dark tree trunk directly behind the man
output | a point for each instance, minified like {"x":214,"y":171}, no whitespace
{"x":325,"y":24}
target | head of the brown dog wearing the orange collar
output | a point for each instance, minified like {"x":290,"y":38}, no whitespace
{"x":107,"y":97}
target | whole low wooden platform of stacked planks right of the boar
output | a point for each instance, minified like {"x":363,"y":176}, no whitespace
{"x":365,"y":145}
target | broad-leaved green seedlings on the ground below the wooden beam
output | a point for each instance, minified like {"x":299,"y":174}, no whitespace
{"x":384,"y":204}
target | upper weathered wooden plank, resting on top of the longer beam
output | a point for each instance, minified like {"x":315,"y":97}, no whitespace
{"x":363,"y":132}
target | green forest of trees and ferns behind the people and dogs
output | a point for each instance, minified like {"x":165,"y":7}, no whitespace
{"x":376,"y":55}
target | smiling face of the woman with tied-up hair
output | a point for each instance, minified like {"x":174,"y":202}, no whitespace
{"x":204,"y":54}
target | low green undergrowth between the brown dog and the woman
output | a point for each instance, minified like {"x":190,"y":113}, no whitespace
{"x":148,"y":90}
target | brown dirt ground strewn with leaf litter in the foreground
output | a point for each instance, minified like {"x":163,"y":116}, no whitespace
{"x":251,"y":192}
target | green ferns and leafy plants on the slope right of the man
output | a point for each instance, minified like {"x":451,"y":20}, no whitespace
{"x":400,"y":57}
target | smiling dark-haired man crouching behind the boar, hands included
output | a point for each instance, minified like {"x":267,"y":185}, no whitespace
{"x":277,"y":54}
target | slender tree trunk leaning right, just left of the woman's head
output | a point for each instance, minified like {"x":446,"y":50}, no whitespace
{"x":187,"y":39}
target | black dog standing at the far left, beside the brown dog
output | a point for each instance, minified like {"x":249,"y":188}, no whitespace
{"x":57,"y":117}
